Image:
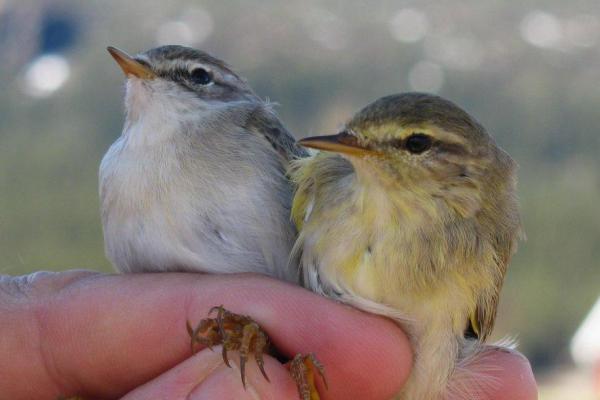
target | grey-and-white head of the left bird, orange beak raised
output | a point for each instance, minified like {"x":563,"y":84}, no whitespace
{"x":178,"y":79}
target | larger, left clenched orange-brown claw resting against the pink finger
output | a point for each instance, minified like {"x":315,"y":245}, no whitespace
{"x":233,"y":332}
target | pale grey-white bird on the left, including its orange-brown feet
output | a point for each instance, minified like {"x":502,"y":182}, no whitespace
{"x":196,"y":182}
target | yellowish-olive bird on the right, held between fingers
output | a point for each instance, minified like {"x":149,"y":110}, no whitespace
{"x":410,"y":211}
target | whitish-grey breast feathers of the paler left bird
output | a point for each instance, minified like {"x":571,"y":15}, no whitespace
{"x":161,"y":210}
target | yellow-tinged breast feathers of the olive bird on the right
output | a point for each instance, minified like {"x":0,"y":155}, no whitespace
{"x":358,"y":242}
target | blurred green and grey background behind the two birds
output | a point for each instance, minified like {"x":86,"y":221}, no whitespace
{"x":528,"y":70}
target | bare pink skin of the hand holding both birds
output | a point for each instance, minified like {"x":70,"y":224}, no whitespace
{"x":107,"y":336}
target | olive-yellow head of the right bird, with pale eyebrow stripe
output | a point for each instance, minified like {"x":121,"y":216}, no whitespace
{"x":425,"y":149}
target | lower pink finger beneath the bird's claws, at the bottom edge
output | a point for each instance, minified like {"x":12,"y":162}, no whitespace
{"x":205,"y":376}
